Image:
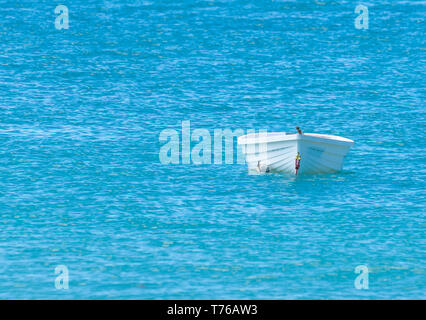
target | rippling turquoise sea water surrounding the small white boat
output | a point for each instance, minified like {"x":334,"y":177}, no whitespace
{"x":81,"y":183}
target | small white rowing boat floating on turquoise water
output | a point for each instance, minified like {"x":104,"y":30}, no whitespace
{"x":294,"y":153}
